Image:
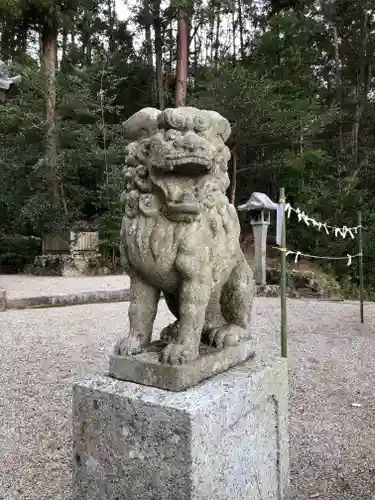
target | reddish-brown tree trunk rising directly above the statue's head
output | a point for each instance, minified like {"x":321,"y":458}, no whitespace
{"x":182,"y":60}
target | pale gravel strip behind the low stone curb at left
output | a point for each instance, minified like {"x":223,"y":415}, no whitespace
{"x":18,"y":286}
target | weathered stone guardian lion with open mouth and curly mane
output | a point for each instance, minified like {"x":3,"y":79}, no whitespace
{"x":180,"y":234}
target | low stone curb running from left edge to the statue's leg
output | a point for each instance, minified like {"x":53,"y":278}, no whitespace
{"x":67,"y":300}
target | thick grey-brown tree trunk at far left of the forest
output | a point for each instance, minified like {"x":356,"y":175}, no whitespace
{"x":49,"y":58}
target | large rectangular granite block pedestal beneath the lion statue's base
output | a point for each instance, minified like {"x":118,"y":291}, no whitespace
{"x":224,"y":439}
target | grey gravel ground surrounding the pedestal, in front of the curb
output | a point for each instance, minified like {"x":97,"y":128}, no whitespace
{"x":331,"y":368}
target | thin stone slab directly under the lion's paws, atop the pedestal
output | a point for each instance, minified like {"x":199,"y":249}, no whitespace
{"x":146,"y":369}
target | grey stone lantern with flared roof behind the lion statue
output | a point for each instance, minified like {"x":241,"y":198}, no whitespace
{"x":259,"y":206}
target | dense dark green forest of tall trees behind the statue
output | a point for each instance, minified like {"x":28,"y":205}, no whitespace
{"x":294,"y":77}
